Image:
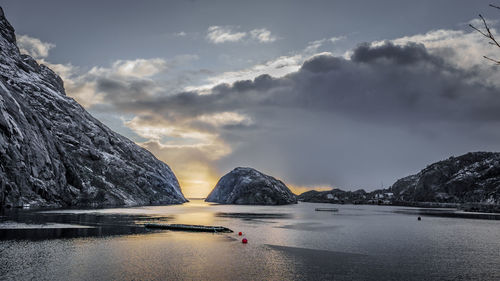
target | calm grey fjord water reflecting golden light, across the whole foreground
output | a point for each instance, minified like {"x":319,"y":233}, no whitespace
{"x":292,"y":242}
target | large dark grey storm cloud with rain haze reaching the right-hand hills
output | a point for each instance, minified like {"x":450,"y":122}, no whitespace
{"x":348,"y":123}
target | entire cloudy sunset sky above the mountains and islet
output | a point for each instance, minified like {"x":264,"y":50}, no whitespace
{"x":320,"y":94}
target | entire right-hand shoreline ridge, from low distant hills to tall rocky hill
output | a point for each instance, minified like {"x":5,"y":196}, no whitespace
{"x":470,"y":181}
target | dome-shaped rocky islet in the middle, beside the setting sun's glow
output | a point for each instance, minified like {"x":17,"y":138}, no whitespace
{"x":247,"y":186}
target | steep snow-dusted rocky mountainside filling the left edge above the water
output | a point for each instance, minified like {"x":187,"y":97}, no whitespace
{"x":54,"y":153}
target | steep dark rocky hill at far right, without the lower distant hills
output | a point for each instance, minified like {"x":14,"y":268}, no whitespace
{"x":470,"y":178}
